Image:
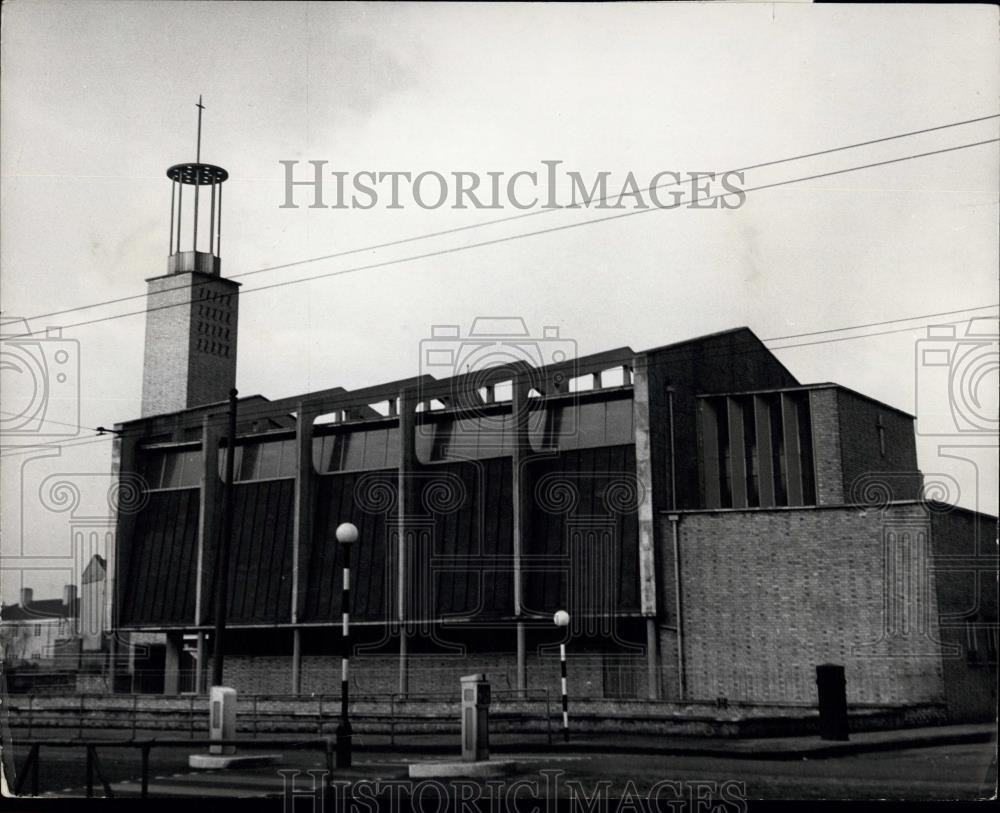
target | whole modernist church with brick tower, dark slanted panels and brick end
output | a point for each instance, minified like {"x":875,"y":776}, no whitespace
{"x":714,"y":527}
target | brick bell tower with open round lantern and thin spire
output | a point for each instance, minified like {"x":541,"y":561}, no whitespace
{"x":192,"y":310}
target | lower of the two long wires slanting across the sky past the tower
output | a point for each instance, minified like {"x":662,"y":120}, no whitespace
{"x":550,"y":230}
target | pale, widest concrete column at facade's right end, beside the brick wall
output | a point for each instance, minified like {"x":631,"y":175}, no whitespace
{"x":645,"y":515}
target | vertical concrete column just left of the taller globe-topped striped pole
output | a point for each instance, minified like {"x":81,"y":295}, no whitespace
{"x":302,"y":529}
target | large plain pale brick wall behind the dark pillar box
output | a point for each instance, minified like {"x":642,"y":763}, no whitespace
{"x":769,"y":594}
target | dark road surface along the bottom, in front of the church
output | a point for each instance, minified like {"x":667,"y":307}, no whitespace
{"x":944,"y":772}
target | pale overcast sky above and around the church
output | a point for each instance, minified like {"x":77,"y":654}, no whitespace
{"x":98,"y":100}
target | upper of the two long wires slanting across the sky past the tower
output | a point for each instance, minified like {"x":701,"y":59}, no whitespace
{"x":510,"y":218}
